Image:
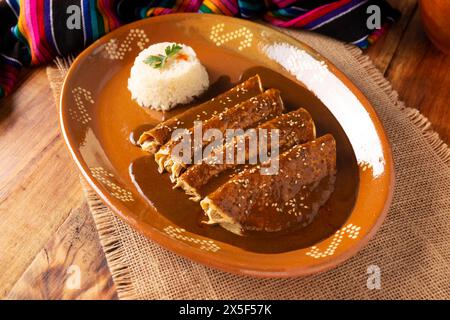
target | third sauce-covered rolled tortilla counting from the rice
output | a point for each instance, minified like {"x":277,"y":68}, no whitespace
{"x":294,"y":128}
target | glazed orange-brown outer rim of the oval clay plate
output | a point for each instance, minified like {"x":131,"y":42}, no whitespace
{"x":289,"y":264}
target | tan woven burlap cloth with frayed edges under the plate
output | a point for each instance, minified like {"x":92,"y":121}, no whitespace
{"x":412,"y":248}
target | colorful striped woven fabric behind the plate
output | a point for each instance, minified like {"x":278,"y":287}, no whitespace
{"x":34,"y":32}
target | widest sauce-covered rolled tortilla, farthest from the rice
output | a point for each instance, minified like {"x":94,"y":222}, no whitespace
{"x":251,"y":201}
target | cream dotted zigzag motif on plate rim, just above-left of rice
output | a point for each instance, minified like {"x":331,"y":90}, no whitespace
{"x":116,"y":51}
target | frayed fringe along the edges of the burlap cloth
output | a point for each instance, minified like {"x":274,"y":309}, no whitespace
{"x":109,"y":236}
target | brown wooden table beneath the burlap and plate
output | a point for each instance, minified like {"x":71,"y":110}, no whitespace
{"x":44,"y":228}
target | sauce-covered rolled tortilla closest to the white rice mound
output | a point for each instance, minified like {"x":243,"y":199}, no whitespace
{"x":151,"y":140}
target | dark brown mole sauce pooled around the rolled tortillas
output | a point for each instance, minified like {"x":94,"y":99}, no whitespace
{"x":175,"y":205}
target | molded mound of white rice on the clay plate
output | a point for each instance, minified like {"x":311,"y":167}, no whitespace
{"x":181,"y":78}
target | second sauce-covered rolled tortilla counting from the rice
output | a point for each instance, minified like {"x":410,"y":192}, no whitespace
{"x":242,"y":116}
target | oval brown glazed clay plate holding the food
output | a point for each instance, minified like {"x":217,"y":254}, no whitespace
{"x":98,"y":120}
